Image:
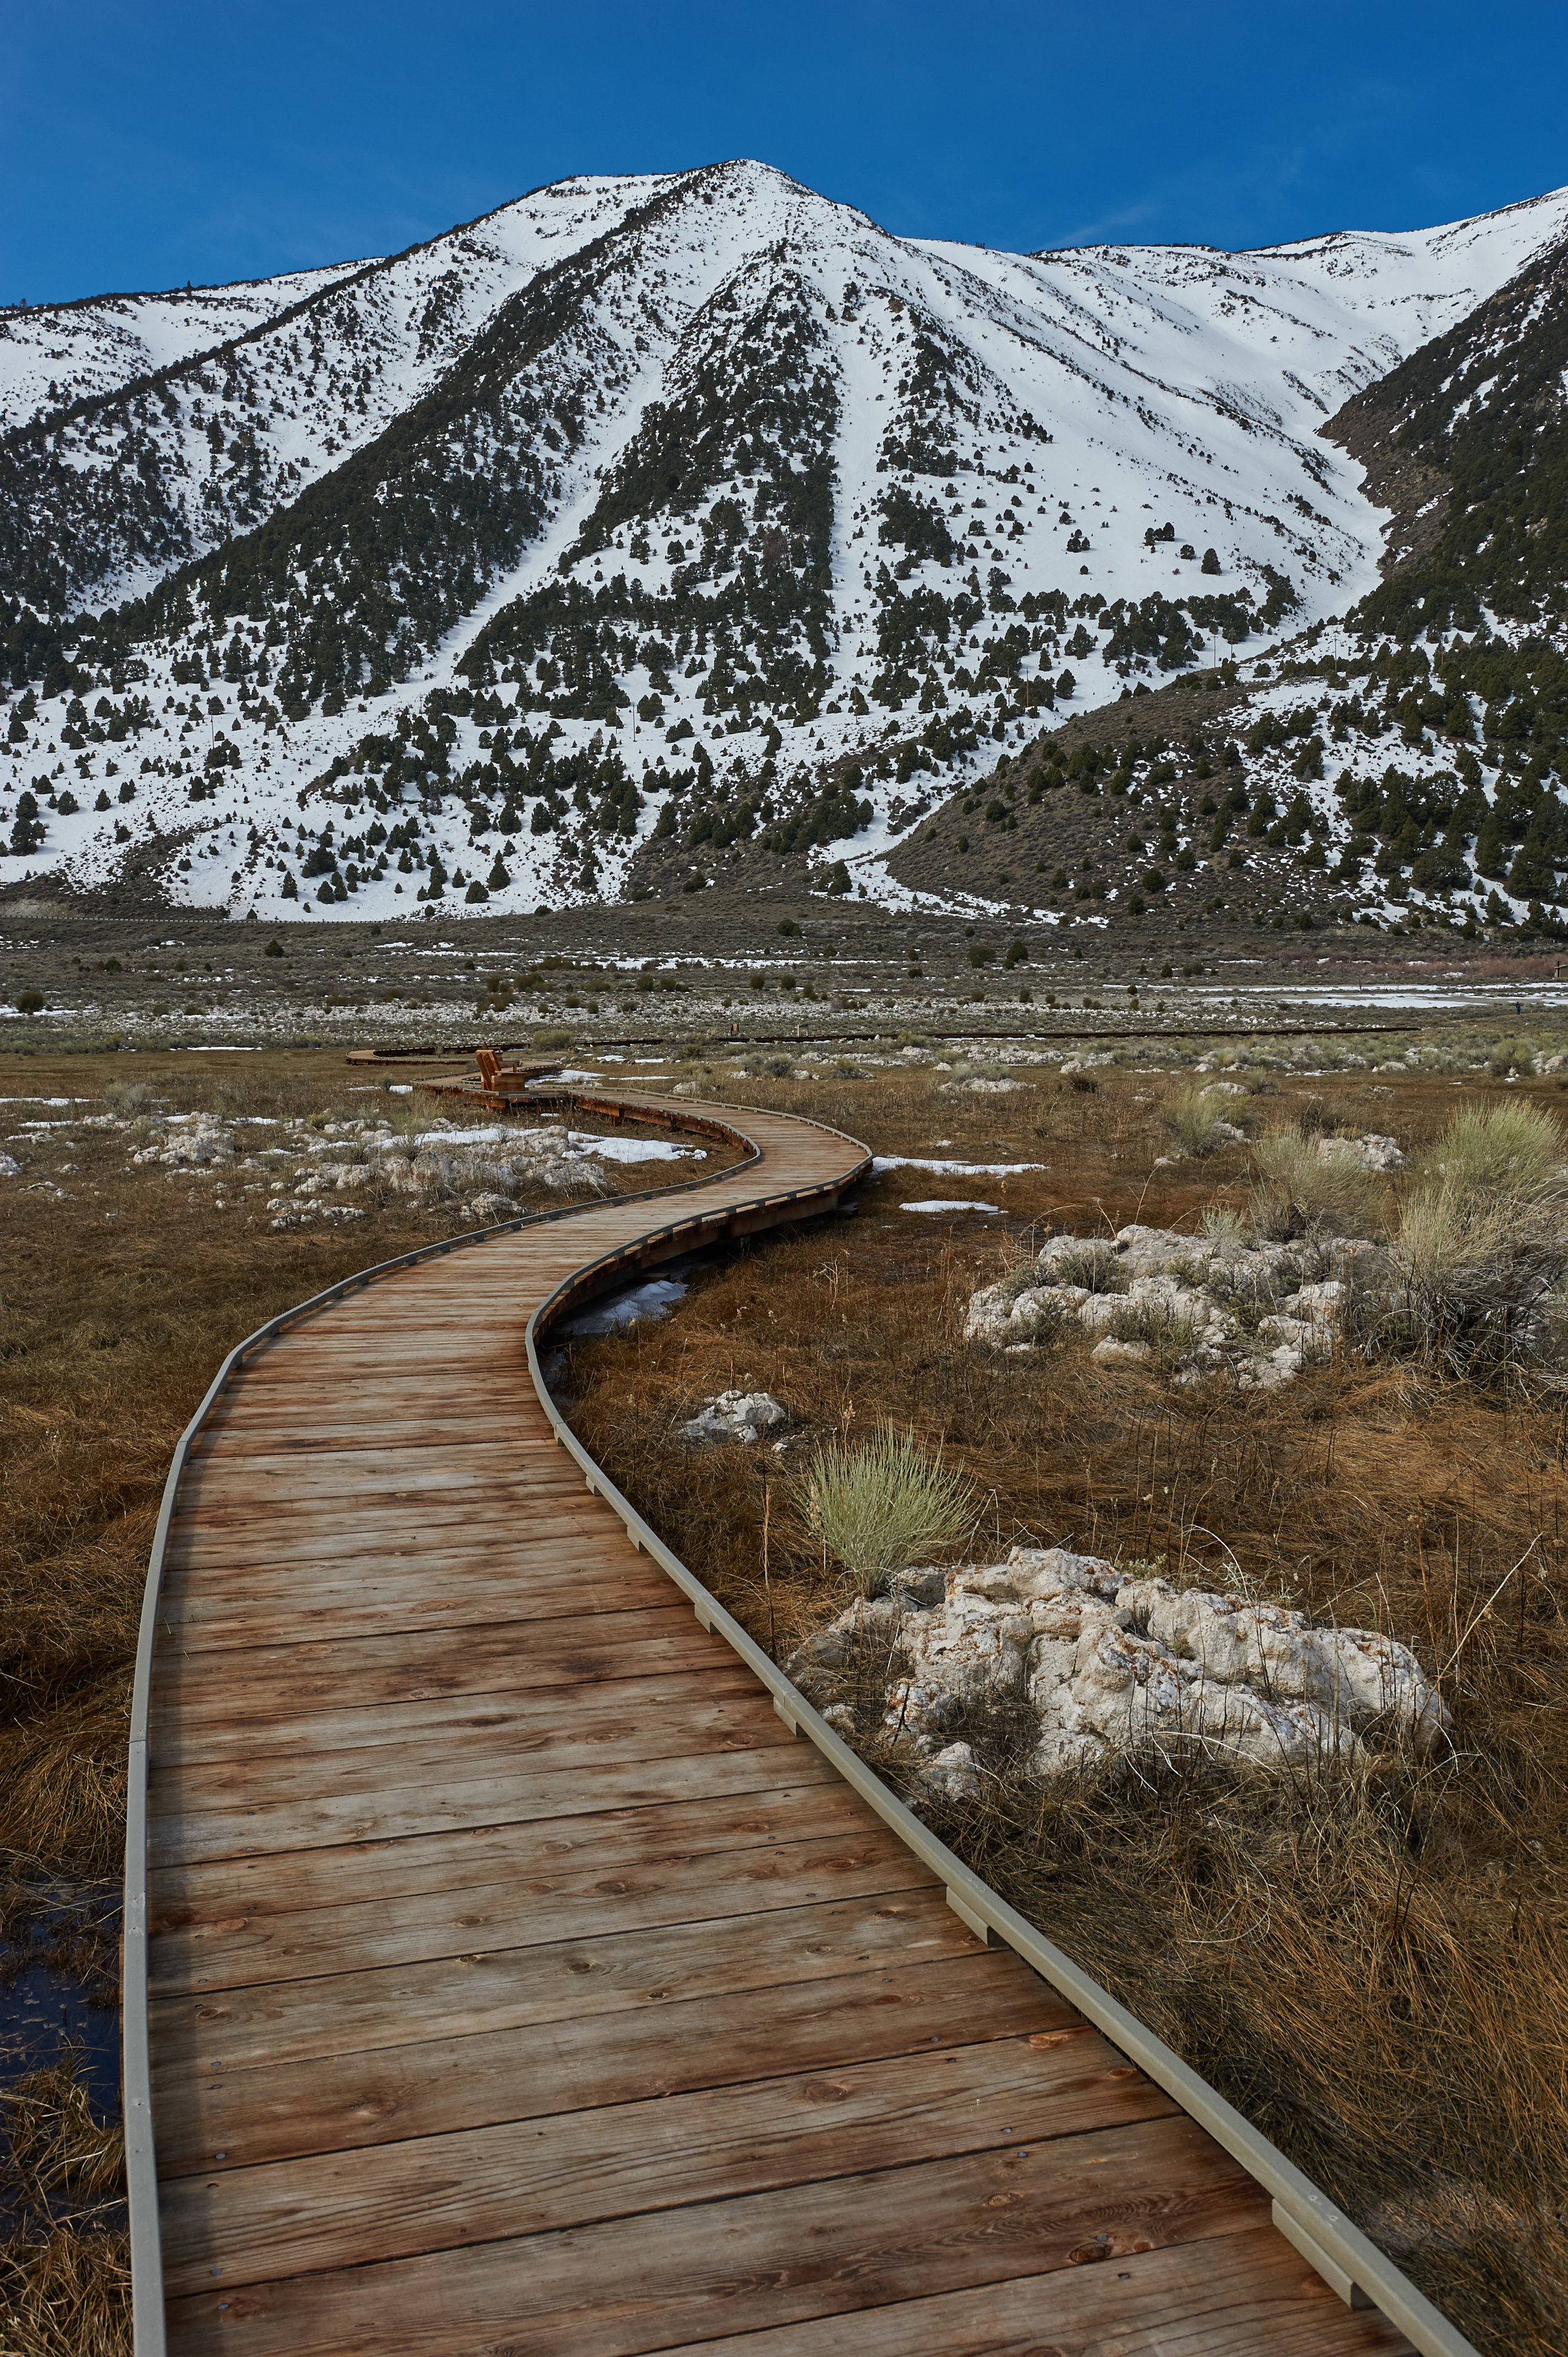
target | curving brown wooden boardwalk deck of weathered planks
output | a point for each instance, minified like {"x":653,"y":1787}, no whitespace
{"x":522,"y":1986}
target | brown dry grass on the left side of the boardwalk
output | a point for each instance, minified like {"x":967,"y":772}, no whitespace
{"x":119,"y":1300}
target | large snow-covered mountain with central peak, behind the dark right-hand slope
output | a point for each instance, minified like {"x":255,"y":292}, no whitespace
{"x":676,"y":510}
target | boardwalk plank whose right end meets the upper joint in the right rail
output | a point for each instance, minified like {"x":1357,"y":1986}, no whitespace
{"x":397,"y":1927}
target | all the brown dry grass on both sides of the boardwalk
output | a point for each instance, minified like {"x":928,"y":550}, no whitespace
{"x":1371,"y":1969}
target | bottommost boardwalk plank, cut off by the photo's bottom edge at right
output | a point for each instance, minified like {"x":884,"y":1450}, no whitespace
{"x":1244,"y":2299}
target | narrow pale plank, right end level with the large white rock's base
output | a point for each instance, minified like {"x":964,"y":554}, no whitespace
{"x":487,"y":1800}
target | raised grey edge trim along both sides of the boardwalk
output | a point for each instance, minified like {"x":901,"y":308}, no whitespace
{"x":1303,"y":2212}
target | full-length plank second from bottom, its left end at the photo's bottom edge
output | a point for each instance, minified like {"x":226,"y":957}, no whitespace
{"x":756,"y":2262}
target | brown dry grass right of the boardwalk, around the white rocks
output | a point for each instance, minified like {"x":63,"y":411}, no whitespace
{"x":1369,"y":1965}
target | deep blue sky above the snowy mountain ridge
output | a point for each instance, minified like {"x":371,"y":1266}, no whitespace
{"x":145,"y":145}
